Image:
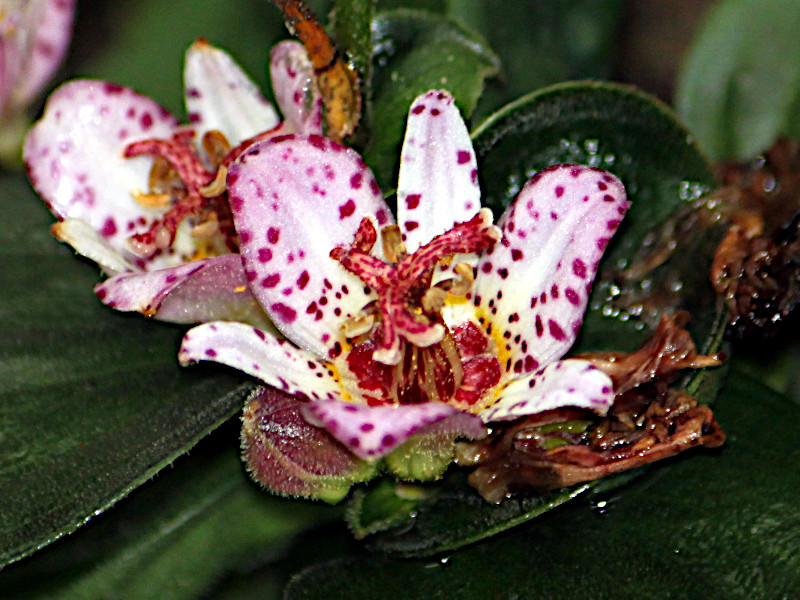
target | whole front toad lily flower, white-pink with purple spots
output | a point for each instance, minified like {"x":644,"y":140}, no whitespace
{"x":442,"y":322}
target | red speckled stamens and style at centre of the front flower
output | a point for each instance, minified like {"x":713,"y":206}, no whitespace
{"x":403,"y":352}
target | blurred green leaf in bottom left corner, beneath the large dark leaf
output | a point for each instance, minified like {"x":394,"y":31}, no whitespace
{"x":180,"y":535}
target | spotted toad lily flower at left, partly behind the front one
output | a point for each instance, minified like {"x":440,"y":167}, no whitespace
{"x":171,"y":250}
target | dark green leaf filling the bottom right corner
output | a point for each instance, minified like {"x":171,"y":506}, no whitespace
{"x":715,"y":525}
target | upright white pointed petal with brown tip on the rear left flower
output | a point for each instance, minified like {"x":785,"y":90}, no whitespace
{"x":220,"y":95}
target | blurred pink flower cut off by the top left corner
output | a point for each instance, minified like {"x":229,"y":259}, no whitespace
{"x":34,"y":35}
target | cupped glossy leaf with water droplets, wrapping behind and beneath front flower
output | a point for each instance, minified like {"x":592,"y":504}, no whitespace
{"x":638,"y":139}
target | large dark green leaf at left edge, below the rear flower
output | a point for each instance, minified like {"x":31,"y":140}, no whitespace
{"x":92,"y":402}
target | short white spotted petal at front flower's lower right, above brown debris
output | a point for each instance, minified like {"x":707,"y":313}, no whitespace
{"x":570,"y":382}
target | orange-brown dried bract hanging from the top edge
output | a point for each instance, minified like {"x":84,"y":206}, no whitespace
{"x":337,"y":80}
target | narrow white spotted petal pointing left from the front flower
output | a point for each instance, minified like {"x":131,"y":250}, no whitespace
{"x":275,"y":362}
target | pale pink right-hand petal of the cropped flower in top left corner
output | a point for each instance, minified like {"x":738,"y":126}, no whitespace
{"x":41,"y":34}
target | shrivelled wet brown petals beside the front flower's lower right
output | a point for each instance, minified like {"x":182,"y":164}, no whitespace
{"x":648,"y":422}
